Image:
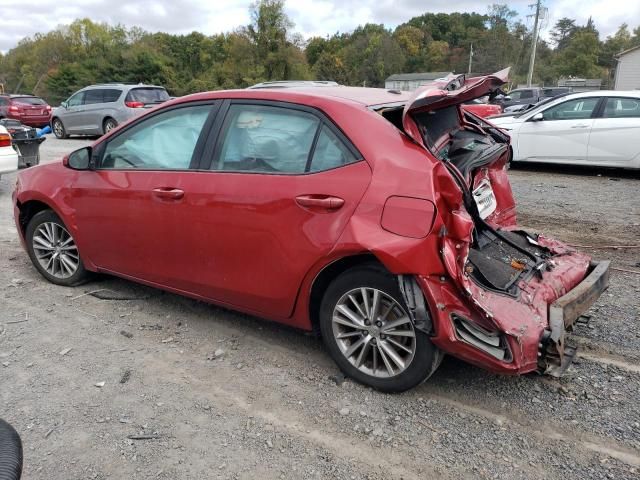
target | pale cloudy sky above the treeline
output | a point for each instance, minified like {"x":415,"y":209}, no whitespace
{"x":311,"y":17}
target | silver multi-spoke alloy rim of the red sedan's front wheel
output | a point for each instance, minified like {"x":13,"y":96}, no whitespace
{"x":55,"y":250}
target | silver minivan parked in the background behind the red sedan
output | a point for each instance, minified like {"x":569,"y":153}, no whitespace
{"x":97,"y":109}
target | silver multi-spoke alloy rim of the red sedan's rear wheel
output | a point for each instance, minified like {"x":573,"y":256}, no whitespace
{"x":374,"y":332}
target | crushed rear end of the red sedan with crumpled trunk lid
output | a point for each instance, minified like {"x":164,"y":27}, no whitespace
{"x":510,"y":296}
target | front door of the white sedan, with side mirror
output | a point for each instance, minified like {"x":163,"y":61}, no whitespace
{"x":561,"y":136}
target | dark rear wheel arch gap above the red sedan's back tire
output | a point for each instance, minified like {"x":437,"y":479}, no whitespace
{"x":329,"y":273}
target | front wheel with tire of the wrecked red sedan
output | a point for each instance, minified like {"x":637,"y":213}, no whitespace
{"x":54,"y":252}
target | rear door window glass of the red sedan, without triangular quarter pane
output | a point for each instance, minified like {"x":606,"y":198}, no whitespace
{"x":260,"y":138}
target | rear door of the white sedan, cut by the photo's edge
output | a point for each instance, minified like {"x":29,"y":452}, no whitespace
{"x":615,"y":136}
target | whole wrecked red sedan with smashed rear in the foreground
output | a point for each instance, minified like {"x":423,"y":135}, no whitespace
{"x":380,"y":219}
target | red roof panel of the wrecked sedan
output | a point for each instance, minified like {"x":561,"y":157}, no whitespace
{"x":362,"y":95}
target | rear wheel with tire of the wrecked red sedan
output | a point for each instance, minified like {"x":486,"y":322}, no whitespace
{"x":419,"y":358}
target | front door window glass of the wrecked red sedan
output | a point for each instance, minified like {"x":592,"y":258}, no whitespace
{"x":165,"y":141}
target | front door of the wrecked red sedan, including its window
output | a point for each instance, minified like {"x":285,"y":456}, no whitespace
{"x":131,"y":210}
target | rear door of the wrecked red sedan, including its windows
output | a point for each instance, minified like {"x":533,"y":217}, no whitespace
{"x":280,"y":187}
